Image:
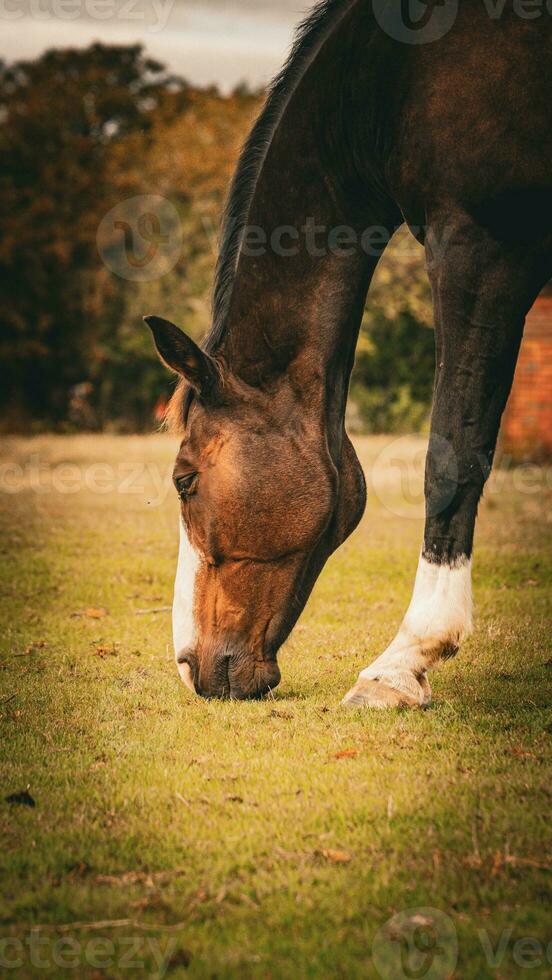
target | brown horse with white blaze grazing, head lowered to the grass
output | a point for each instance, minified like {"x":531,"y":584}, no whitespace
{"x":443,"y":122}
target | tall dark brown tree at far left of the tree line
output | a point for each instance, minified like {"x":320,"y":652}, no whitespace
{"x":60,"y":117}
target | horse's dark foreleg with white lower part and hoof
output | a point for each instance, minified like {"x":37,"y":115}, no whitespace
{"x":482,"y":291}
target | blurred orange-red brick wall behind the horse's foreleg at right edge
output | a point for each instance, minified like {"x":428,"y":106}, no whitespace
{"x":527,"y":422}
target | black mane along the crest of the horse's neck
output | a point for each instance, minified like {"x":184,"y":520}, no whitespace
{"x":309,"y":37}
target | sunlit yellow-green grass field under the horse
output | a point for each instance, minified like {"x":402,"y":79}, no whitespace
{"x":273,"y":839}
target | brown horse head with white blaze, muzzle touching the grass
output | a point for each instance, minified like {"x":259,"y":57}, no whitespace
{"x":262,"y":504}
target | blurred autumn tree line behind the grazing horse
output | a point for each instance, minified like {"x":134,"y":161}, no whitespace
{"x":81,"y":131}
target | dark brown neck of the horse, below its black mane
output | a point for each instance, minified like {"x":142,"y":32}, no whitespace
{"x":297,"y":298}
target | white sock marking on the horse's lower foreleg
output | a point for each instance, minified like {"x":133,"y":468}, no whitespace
{"x":438,"y":618}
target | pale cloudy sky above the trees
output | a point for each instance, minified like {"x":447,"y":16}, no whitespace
{"x":213,"y":41}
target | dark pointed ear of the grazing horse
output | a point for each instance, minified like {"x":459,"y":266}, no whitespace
{"x":181,"y":354}
